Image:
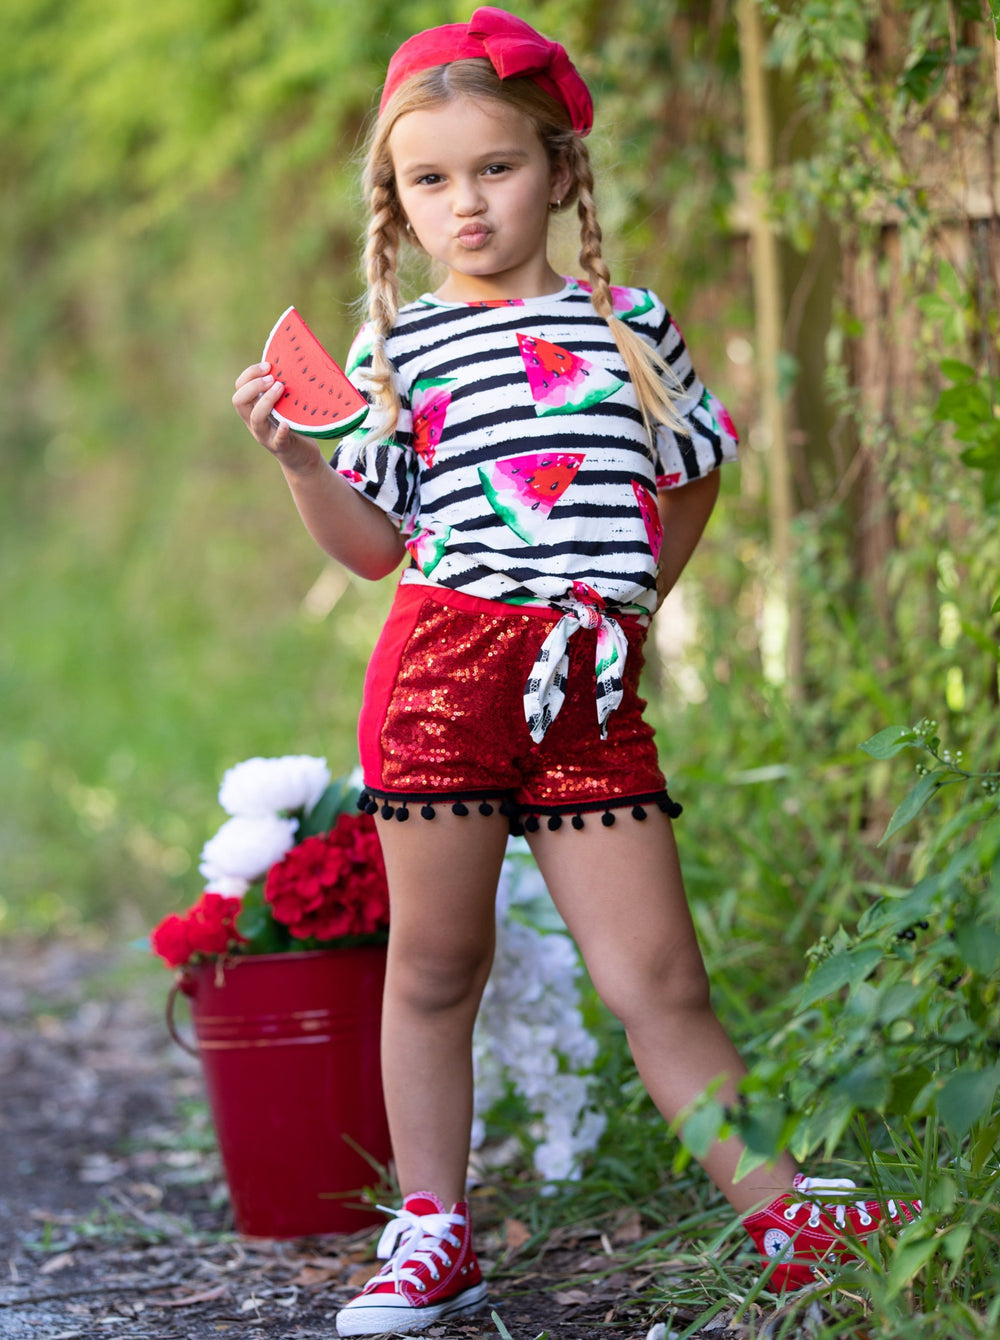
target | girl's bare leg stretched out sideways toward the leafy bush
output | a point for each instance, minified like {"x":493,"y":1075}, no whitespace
{"x":621,"y":894}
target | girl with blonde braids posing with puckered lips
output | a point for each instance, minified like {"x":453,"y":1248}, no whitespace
{"x":548,"y":459}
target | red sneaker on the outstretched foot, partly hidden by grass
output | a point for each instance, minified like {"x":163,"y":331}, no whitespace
{"x":806,"y":1233}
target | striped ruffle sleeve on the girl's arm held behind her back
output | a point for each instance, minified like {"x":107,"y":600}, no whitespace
{"x":711,"y":438}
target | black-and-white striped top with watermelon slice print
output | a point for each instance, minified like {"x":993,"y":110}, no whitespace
{"x":521,"y":470}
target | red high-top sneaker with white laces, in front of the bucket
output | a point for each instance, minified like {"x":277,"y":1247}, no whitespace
{"x":431,"y":1272}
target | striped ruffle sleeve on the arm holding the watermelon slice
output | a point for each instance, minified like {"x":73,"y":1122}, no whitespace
{"x":384,"y":470}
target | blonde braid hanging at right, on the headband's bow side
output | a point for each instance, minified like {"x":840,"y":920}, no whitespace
{"x":656,"y":383}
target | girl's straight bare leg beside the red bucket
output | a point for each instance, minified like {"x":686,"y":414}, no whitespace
{"x":443,"y":876}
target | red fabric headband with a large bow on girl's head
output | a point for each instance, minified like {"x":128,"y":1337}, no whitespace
{"x":514,"y":50}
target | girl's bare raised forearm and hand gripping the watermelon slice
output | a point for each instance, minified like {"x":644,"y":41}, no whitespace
{"x":348,"y":526}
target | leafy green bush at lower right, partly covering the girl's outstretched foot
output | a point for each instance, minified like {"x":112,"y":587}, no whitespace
{"x":887,"y":1055}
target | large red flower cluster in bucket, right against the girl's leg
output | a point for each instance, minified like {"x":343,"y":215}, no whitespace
{"x":333,"y":885}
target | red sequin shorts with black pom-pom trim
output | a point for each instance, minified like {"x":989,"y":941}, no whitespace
{"x":443,"y":719}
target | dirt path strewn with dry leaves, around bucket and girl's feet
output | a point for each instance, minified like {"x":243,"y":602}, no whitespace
{"x":115,"y":1219}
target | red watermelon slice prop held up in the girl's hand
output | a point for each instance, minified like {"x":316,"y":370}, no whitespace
{"x":318,"y":399}
